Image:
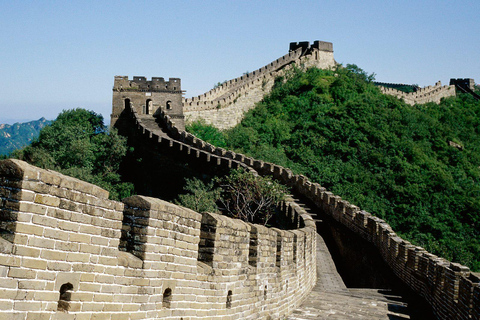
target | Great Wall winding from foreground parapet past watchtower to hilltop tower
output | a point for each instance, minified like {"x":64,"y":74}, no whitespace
{"x":67,"y":252}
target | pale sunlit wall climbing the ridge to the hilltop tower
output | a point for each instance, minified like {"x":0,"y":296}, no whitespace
{"x":225,"y":106}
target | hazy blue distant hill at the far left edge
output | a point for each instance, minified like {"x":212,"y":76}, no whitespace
{"x":18,"y":135}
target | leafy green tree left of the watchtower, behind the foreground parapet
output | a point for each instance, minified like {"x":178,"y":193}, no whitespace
{"x":78,"y":144}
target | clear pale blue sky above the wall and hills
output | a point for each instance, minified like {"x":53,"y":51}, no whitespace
{"x":59,"y":55}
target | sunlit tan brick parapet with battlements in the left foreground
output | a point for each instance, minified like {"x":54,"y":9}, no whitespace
{"x":67,"y":252}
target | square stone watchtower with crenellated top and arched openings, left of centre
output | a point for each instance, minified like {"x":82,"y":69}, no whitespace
{"x":147,"y":98}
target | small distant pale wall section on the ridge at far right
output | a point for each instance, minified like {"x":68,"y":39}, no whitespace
{"x":423,"y":95}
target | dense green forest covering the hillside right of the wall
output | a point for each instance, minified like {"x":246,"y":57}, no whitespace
{"x":417,"y":167}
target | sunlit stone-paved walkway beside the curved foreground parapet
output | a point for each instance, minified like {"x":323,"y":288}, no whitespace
{"x":331,"y":299}
